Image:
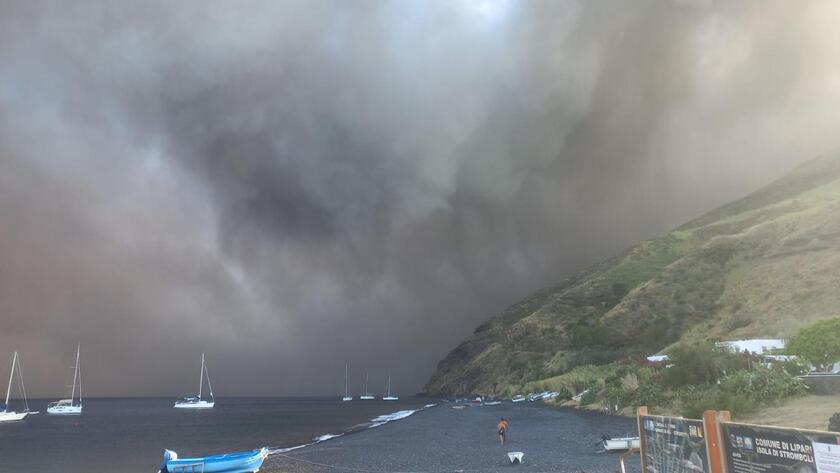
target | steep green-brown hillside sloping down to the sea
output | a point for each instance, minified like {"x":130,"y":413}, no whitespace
{"x":764,"y":265}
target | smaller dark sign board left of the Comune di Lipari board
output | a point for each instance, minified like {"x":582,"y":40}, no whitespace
{"x":673,"y":445}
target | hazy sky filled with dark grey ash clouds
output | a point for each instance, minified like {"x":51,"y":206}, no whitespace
{"x":292,"y":185}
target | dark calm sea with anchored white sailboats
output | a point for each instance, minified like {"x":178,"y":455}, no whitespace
{"x":129,"y":435}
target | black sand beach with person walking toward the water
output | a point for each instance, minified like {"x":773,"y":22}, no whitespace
{"x":442,"y":439}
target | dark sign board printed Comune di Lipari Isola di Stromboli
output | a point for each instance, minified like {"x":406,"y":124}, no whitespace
{"x":759,"y":449}
